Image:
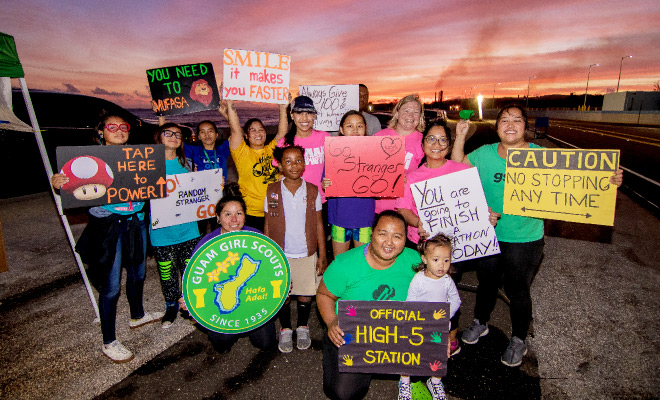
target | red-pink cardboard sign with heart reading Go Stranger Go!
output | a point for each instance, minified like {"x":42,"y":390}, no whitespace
{"x":365,"y":166}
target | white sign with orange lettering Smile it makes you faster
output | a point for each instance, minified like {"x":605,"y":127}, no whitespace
{"x":256,"y":76}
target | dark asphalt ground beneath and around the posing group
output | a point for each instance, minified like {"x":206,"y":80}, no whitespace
{"x":594,"y":333}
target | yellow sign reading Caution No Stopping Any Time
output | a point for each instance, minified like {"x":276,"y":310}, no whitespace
{"x":564,"y":184}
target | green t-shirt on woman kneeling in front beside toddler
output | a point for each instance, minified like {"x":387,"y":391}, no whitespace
{"x":350,"y":277}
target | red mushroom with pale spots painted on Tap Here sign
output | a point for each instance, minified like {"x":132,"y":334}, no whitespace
{"x":89,"y":177}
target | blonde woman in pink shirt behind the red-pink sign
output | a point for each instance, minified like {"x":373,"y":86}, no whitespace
{"x":407,"y":122}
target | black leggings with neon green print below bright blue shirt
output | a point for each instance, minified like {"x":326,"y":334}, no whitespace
{"x":172,"y":261}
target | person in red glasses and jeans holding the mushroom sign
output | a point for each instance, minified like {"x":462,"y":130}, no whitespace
{"x":115,"y":238}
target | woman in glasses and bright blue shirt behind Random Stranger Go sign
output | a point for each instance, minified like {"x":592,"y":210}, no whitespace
{"x":173,"y":245}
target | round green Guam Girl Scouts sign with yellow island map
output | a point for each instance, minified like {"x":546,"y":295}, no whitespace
{"x":236,"y":282}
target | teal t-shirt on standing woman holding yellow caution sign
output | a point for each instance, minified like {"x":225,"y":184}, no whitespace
{"x":492,"y":172}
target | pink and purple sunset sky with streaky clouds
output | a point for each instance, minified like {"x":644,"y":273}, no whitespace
{"x":103,"y":48}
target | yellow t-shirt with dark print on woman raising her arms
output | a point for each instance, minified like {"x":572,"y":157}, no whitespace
{"x":255,"y":172}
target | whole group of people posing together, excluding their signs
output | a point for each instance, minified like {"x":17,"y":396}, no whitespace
{"x":280,"y":192}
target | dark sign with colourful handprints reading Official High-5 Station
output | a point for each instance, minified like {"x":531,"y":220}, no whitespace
{"x":394,"y":337}
